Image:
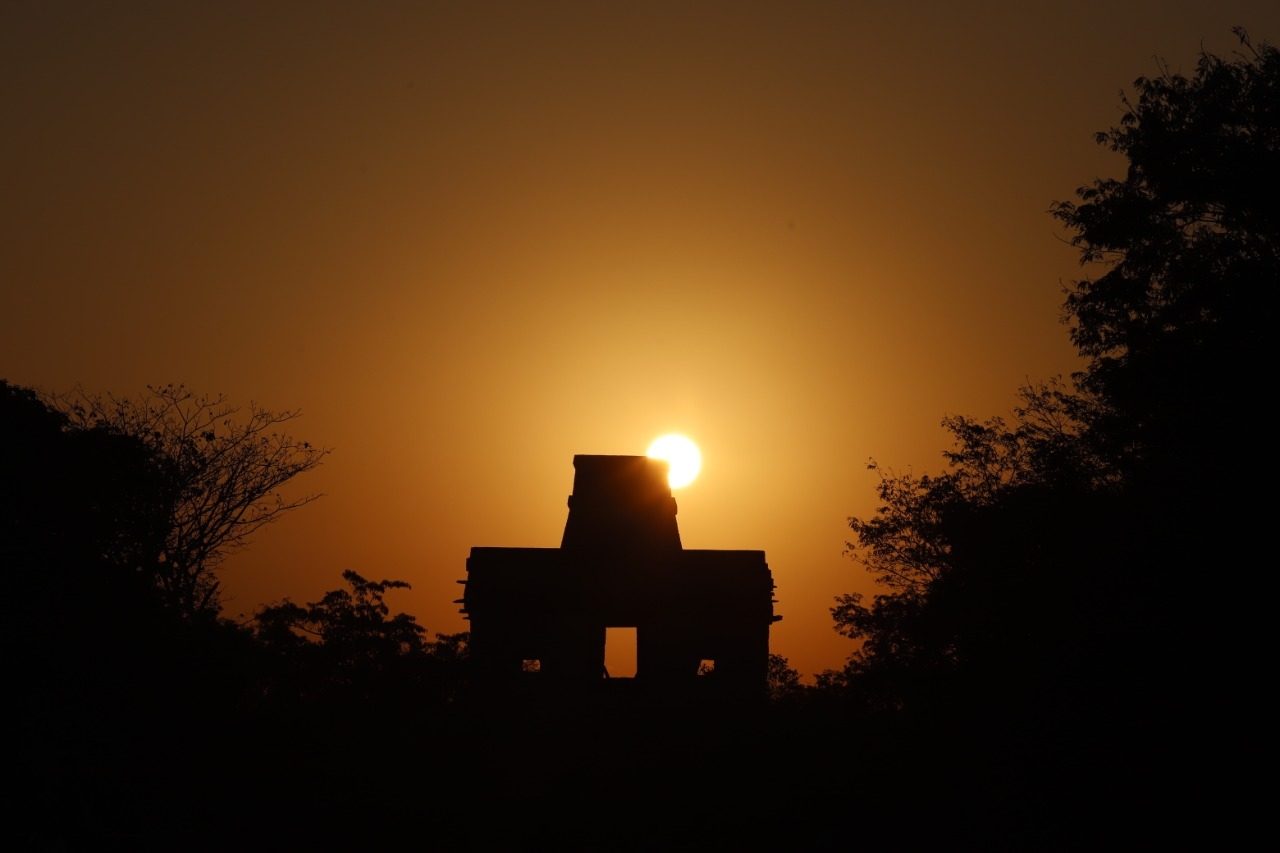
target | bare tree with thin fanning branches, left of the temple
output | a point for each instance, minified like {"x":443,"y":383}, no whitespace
{"x":223,"y":471}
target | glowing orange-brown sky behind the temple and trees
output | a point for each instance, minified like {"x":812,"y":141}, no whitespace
{"x":470,"y":241}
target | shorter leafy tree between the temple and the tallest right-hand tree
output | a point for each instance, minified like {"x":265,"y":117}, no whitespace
{"x":953,"y":549}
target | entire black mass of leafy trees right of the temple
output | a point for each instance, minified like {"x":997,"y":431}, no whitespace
{"x":1054,"y":548}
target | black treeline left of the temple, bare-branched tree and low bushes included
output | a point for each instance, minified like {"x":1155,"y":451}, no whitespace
{"x":117,"y":514}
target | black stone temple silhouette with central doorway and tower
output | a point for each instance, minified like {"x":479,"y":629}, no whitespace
{"x":541,"y":614}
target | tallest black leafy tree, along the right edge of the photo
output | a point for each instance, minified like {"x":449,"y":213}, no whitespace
{"x":1177,"y":326}
